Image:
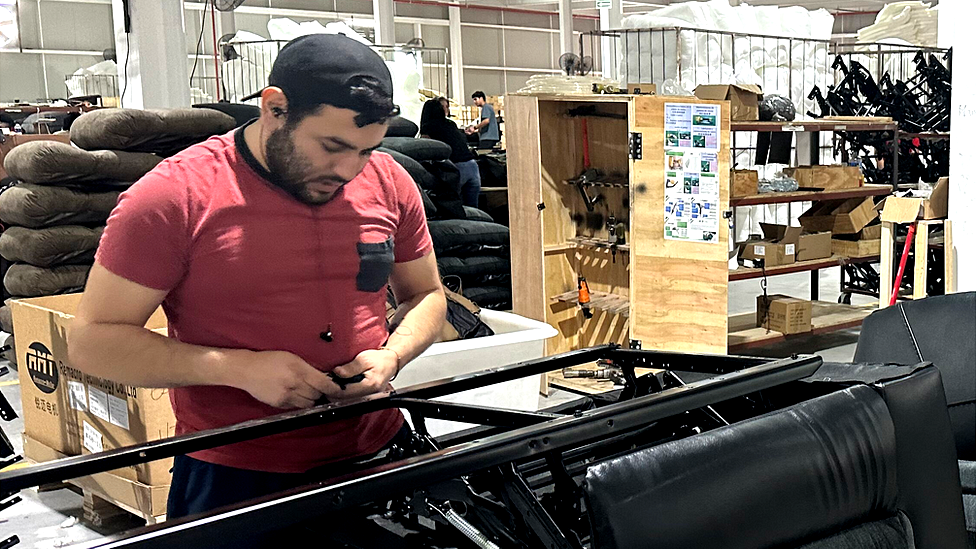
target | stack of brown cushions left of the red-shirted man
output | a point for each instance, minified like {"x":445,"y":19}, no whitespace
{"x":53,"y":214}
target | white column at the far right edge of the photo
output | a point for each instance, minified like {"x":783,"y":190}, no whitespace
{"x":963,"y":130}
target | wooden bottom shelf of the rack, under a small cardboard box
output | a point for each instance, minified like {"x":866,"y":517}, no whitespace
{"x":826,"y":317}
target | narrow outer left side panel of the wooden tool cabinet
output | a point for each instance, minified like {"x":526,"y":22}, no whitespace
{"x":528,"y":291}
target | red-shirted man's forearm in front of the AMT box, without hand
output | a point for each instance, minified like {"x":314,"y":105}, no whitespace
{"x":136,"y":356}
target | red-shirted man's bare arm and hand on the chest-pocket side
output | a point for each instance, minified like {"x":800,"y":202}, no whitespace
{"x":417,"y":287}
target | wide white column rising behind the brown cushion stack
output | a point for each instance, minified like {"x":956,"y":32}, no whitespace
{"x":157,"y":76}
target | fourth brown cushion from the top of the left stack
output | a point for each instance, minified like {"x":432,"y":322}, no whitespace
{"x":52,"y":246}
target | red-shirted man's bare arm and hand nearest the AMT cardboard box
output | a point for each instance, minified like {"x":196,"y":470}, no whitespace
{"x":108,"y":339}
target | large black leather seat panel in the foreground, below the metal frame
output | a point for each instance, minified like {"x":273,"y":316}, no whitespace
{"x":779,"y":480}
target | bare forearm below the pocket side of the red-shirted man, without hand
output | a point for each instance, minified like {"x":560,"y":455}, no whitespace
{"x":420,"y":326}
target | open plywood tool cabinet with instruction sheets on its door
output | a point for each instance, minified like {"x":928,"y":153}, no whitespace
{"x":666,"y":294}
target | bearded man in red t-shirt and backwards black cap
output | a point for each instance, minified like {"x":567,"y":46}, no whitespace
{"x":270,"y":249}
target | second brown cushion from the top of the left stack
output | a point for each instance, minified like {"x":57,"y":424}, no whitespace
{"x":52,"y":162}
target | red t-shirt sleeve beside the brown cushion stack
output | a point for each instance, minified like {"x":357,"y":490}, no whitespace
{"x":146,"y":239}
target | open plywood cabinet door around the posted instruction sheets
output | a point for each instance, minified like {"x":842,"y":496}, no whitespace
{"x":679,"y":290}
